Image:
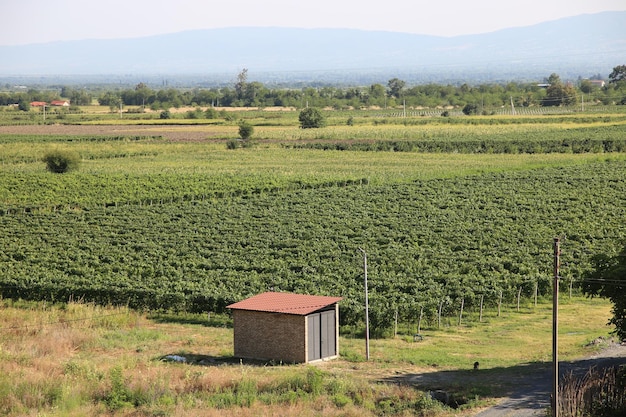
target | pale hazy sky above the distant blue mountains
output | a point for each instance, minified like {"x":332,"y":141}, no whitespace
{"x":34,"y":21}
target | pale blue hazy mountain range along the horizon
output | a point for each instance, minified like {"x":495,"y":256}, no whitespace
{"x":581,"y":45}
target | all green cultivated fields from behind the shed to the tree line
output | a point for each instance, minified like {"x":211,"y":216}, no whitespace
{"x":155,"y":223}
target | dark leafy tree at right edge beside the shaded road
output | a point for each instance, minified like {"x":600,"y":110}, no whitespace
{"x":608,"y":280}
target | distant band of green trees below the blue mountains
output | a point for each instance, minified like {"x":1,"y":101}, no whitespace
{"x":552,"y":91}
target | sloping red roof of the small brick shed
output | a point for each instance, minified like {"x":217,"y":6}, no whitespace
{"x":276,"y":302}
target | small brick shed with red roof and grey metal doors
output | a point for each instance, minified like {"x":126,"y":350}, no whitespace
{"x":292,"y":328}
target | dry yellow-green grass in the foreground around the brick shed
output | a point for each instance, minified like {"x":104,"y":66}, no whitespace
{"x":76,"y":359}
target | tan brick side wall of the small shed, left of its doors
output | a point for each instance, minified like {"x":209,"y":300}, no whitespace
{"x":259,"y":335}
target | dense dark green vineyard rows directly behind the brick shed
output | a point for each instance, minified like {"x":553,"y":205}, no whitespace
{"x":432,"y":244}
